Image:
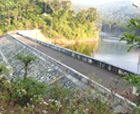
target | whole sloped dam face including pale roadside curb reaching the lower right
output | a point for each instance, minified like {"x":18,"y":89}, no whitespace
{"x":49,"y":71}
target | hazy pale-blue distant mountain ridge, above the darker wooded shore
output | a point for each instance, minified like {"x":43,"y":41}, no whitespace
{"x":117,"y":10}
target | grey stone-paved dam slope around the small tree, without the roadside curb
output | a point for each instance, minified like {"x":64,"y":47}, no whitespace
{"x":42,"y":69}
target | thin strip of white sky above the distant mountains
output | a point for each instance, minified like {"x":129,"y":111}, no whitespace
{"x":137,"y":2}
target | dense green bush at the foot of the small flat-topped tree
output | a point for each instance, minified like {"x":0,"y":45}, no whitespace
{"x":25,"y":89}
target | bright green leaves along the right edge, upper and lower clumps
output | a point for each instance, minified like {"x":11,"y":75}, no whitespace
{"x":134,"y":41}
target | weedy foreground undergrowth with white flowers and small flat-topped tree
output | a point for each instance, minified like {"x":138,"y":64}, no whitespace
{"x":26,"y":95}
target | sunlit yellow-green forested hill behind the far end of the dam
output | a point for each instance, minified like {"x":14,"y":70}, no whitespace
{"x":59,"y":21}
